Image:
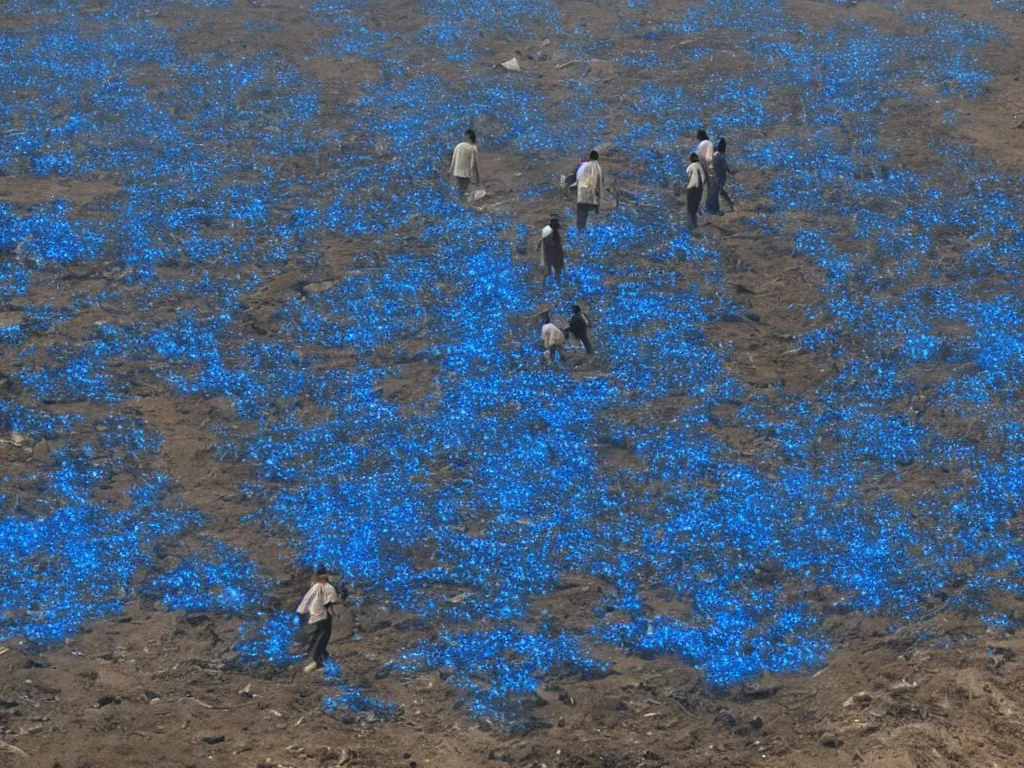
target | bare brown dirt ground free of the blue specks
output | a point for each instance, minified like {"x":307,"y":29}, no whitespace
{"x":152,"y":689}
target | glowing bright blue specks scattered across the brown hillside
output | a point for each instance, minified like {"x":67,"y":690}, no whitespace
{"x":470,"y":499}
